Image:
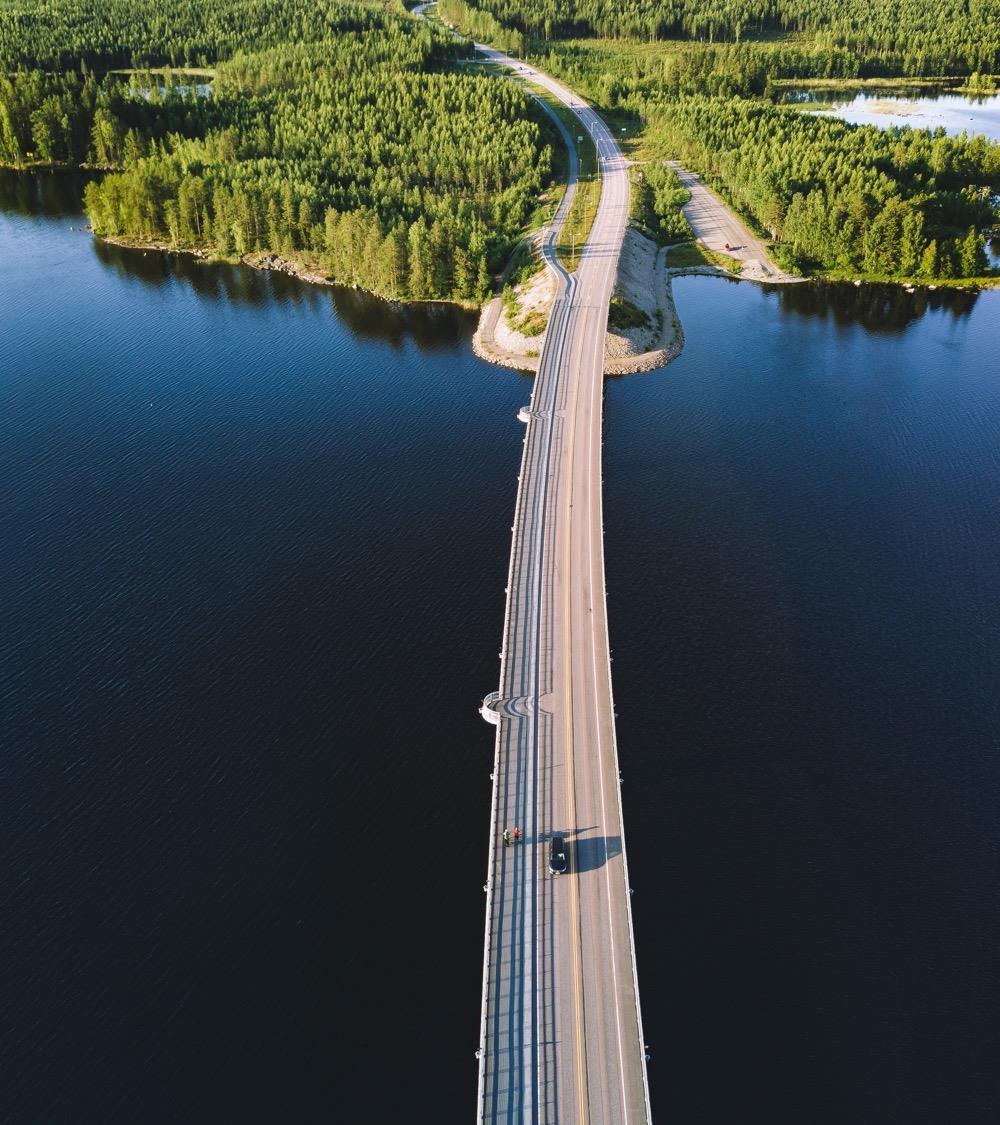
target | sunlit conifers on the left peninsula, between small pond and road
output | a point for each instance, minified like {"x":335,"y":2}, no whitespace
{"x":355,"y":155}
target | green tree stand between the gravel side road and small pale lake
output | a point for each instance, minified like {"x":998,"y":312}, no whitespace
{"x":896,"y":203}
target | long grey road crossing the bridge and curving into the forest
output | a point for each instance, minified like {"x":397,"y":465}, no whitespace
{"x":562,"y":1036}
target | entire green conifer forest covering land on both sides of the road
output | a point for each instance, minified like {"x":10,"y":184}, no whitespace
{"x":364,"y":143}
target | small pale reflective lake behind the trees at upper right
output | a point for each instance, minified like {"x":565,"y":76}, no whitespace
{"x":920,"y":109}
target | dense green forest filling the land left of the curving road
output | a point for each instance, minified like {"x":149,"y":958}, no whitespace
{"x":362,"y":150}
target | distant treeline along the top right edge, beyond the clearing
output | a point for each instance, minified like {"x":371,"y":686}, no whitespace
{"x":929,"y":38}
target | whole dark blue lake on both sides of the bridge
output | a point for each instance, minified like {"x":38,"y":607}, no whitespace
{"x":255,"y":541}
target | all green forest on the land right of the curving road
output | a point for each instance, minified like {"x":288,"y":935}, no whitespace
{"x":835,"y":199}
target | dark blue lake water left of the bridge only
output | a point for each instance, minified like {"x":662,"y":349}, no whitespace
{"x":255,"y":545}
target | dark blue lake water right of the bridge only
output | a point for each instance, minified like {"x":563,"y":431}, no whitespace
{"x":804,"y":537}
